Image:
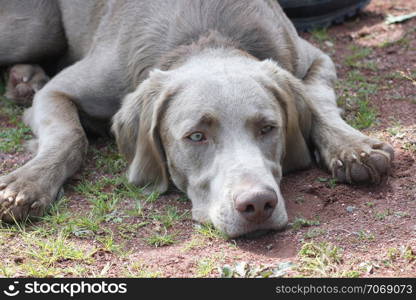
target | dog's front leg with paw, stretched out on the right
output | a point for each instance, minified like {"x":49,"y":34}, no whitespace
{"x":350,"y":155}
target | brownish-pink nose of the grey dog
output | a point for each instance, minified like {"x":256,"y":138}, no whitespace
{"x":256,"y":207}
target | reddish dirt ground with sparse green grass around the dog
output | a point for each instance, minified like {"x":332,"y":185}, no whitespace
{"x":336,"y":230}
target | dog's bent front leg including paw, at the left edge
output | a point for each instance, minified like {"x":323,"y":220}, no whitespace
{"x":62,"y":145}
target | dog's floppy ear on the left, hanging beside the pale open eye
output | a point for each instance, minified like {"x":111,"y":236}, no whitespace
{"x":136,"y":127}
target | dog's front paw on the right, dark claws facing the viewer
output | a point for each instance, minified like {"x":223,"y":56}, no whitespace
{"x":364,"y":160}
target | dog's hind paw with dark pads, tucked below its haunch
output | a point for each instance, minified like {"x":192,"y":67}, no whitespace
{"x":24,"y":81}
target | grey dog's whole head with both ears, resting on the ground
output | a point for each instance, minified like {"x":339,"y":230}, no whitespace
{"x":221,"y":128}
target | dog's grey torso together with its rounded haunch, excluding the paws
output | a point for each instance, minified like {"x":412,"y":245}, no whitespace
{"x":137,"y":34}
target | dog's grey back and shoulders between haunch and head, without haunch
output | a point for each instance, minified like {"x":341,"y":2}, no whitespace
{"x":142,"y":32}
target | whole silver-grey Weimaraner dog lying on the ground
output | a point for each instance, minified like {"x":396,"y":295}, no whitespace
{"x":218,"y":97}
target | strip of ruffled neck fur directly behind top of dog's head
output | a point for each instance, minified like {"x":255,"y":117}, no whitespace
{"x":208,"y":42}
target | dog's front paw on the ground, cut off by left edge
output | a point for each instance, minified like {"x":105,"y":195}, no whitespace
{"x":22,"y":196}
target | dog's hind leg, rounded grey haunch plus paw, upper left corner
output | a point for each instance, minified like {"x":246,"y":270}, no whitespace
{"x":30,"y":31}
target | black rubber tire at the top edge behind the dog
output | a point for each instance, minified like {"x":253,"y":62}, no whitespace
{"x":307,"y":15}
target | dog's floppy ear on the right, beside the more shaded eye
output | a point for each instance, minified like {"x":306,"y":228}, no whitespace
{"x":289,"y":91}
